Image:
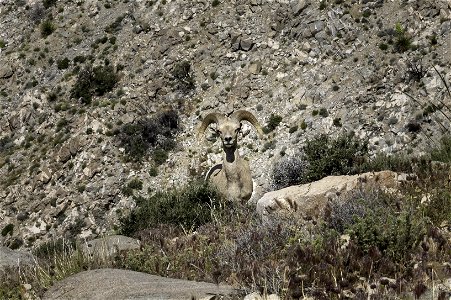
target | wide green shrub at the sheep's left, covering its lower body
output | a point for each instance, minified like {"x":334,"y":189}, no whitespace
{"x":189,"y":206}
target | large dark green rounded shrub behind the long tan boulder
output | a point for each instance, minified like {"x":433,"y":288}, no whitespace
{"x":333,"y":157}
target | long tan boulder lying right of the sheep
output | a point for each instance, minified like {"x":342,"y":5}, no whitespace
{"x":309,"y":200}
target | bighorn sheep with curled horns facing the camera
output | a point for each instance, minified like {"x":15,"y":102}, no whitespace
{"x":233,"y":177}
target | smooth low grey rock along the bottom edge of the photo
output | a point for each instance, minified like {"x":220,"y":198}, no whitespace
{"x":124,"y":284}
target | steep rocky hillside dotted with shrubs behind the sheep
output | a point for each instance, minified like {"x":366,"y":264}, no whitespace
{"x":100,"y":98}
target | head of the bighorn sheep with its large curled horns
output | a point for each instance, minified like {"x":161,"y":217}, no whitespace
{"x":228,"y":127}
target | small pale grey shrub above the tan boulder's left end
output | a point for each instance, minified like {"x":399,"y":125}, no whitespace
{"x":287,"y":171}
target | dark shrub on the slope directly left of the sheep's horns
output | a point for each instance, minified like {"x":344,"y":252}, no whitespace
{"x":155,"y":135}
